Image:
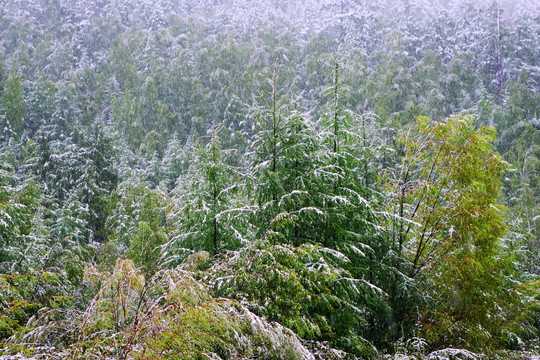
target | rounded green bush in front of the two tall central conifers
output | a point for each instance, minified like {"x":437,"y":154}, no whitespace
{"x":307,"y":289}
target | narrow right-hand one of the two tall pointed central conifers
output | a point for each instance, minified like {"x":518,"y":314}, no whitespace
{"x":347,"y":198}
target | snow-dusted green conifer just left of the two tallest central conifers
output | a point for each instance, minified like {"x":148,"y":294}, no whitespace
{"x":206,"y":216}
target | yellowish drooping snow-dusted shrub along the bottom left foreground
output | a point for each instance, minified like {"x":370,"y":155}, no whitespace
{"x":171,"y":315}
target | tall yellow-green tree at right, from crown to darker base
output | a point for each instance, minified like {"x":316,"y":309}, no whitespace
{"x":449,"y":228}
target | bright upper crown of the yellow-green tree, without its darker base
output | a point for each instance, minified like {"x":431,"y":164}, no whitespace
{"x":449,"y":183}
